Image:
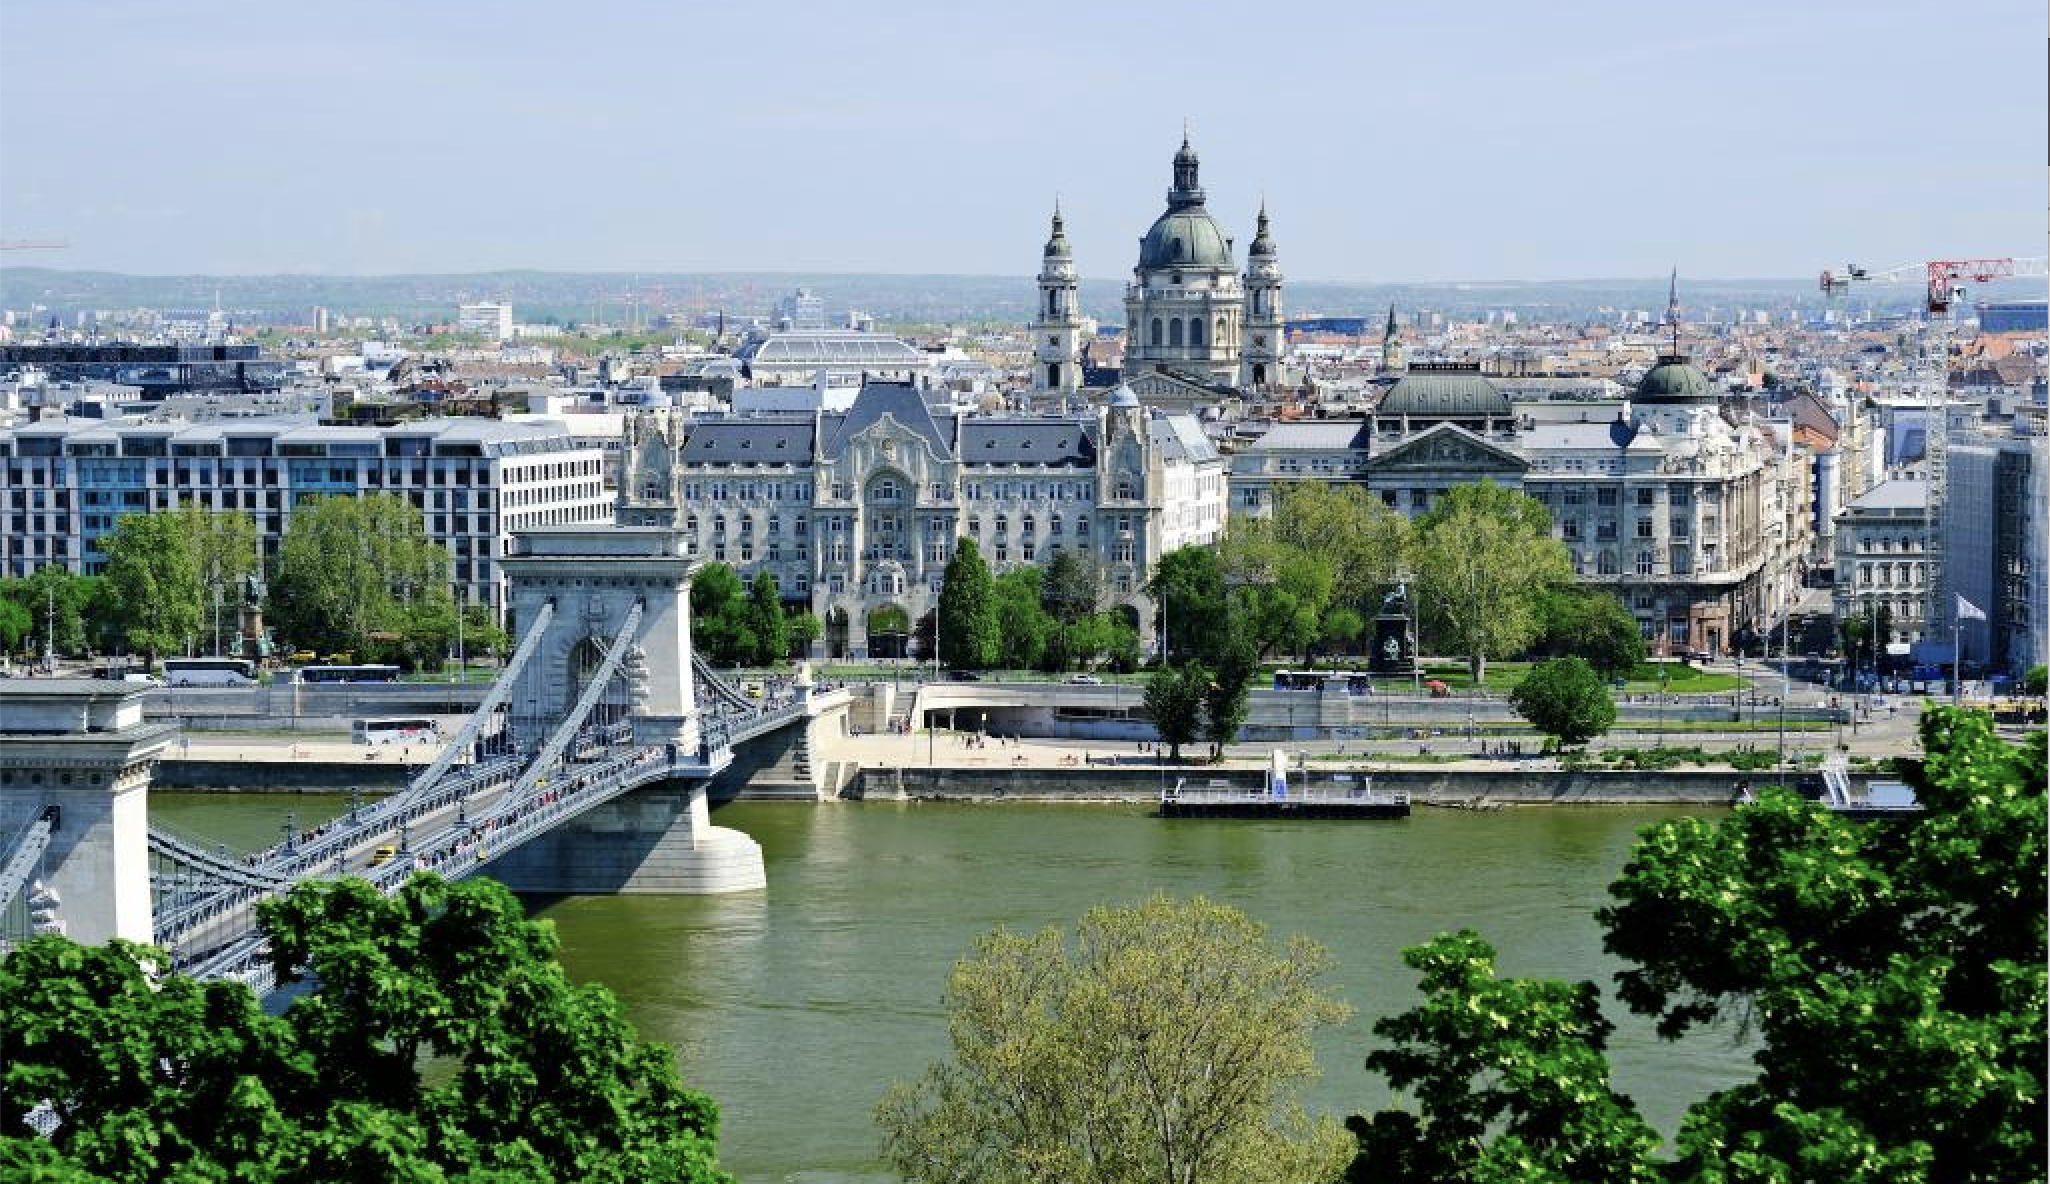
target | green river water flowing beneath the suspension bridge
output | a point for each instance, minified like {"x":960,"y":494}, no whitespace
{"x":801,"y":1005}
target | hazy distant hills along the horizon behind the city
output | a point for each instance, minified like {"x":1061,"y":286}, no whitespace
{"x":891,"y":298}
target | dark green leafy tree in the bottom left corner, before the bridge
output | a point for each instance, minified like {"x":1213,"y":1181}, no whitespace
{"x":440,"y":1042}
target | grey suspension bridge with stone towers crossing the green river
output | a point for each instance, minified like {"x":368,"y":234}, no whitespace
{"x":583,"y":769}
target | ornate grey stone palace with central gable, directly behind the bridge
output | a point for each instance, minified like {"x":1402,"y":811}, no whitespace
{"x":856,"y":513}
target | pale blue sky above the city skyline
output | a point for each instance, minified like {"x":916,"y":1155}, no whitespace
{"x":1424,"y":140}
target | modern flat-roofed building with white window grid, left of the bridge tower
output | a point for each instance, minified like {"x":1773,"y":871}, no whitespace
{"x":473,"y":480}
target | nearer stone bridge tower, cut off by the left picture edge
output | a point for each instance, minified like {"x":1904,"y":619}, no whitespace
{"x":75,"y":779}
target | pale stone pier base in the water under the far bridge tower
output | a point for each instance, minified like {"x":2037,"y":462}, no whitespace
{"x":657,"y":841}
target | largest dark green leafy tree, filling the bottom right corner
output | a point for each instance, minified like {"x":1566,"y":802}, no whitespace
{"x":1895,"y":976}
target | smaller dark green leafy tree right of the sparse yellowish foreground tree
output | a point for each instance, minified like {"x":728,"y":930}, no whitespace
{"x":1510,"y":1081}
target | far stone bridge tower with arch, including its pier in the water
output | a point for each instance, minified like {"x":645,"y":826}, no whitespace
{"x":657,"y":839}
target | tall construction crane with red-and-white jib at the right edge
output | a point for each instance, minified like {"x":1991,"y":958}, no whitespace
{"x":1944,"y":280}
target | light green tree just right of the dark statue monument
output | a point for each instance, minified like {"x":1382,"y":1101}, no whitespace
{"x":1483,"y":554}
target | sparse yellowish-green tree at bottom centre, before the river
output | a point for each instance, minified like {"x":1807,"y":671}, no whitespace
{"x":1167,"y":1044}
